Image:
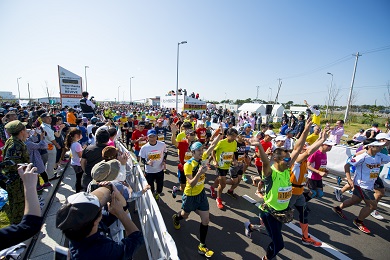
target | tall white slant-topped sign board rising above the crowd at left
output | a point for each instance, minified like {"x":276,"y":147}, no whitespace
{"x":70,"y":87}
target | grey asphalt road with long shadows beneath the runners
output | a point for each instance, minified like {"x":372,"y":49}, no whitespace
{"x":341,"y":239}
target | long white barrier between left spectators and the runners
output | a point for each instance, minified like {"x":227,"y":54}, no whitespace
{"x":159,"y":243}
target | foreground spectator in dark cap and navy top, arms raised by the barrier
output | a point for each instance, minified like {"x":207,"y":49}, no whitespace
{"x":79,"y":220}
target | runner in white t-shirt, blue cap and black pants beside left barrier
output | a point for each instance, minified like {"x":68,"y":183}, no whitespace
{"x":153,"y":156}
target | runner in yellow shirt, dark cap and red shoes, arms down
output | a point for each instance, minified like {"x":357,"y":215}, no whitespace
{"x":223,"y":156}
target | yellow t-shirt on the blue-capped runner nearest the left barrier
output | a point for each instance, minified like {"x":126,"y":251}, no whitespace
{"x":191,"y":167}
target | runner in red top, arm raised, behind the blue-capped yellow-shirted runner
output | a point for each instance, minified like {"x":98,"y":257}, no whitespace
{"x":184,"y":155}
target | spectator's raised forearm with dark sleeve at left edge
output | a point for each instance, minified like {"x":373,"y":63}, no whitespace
{"x":32,"y":221}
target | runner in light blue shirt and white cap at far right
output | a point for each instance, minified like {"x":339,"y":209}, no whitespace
{"x":367,"y":171}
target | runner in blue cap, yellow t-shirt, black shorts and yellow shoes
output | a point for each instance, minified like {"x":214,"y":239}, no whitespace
{"x":194,"y":197}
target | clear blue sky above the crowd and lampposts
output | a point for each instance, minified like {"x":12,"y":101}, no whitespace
{"x":233,"y":46}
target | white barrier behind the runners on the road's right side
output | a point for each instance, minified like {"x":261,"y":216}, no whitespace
{"x":337,"y":157}
